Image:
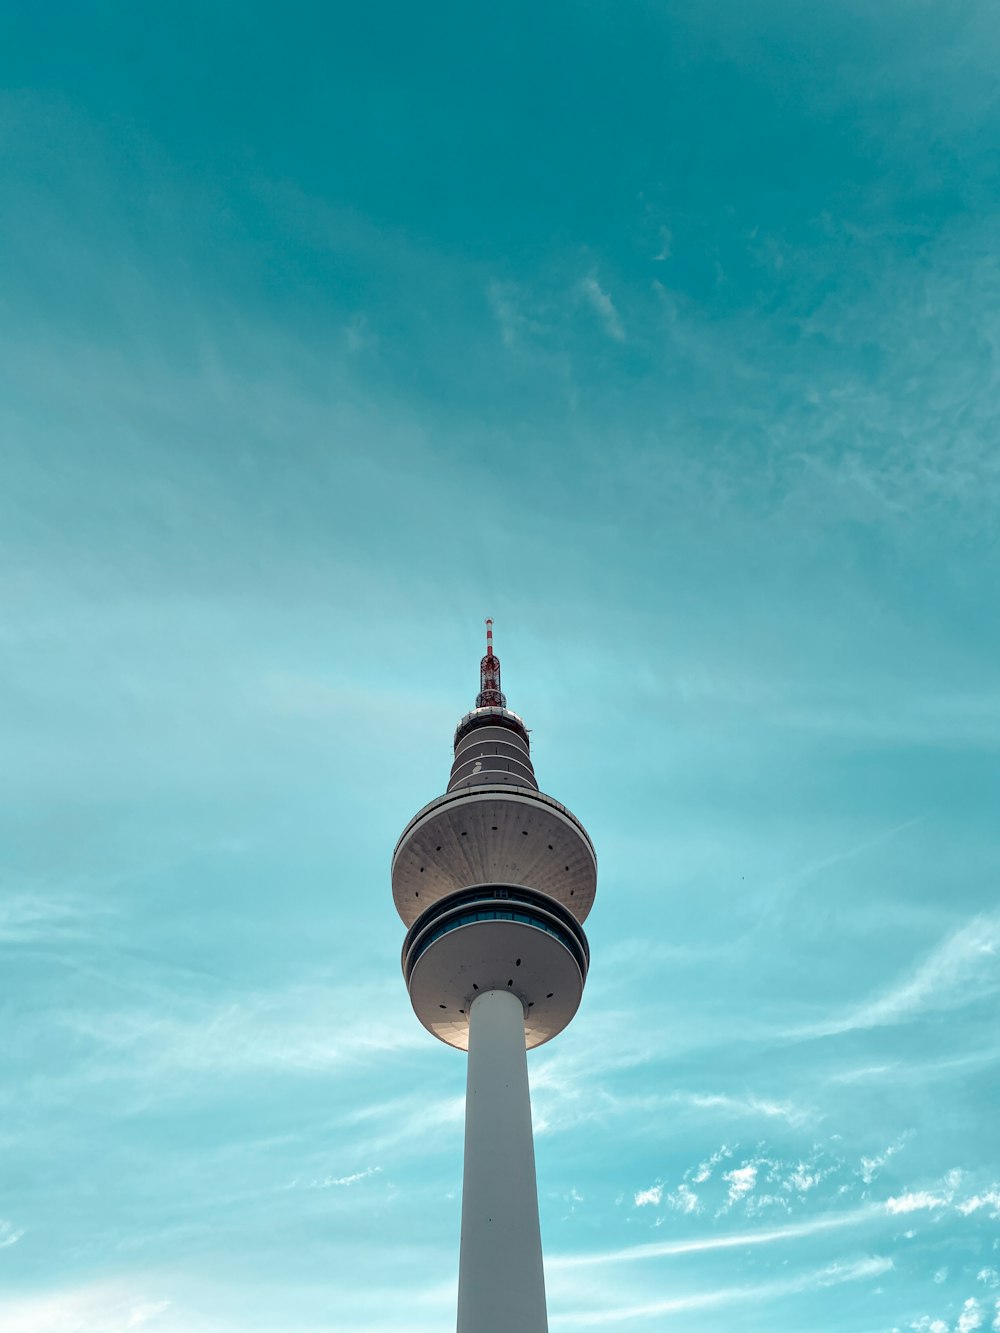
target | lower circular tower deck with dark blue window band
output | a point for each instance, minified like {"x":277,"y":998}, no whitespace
{"x":495,"y":938}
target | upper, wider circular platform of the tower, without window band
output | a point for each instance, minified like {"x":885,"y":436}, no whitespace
{"x":494,"y":834}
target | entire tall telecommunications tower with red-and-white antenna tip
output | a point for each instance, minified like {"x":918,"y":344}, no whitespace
{"x":494,"y":882}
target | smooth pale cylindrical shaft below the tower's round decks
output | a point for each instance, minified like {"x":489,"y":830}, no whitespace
{"x":502,"y":1287}
